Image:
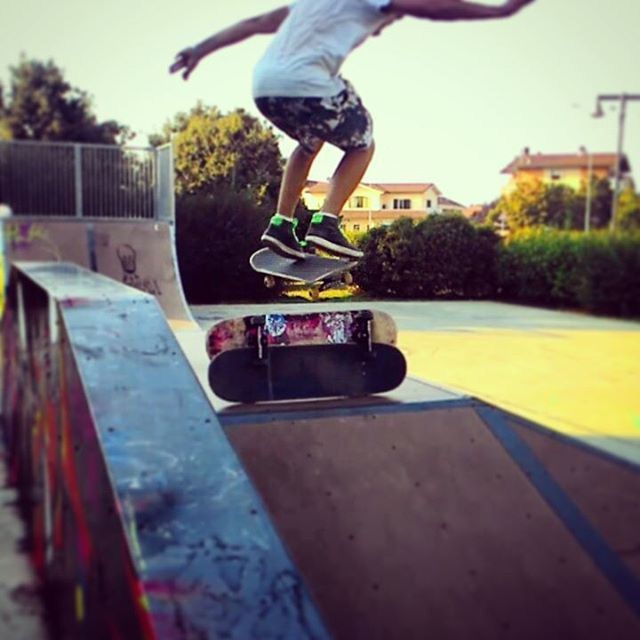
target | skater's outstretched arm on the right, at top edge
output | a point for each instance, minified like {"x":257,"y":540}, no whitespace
{"x":456,"y":9}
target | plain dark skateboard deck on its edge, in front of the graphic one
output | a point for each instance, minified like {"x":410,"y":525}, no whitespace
{"x":306,"y":371}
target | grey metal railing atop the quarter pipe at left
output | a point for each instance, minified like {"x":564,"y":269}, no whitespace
{"x":87,"y":180}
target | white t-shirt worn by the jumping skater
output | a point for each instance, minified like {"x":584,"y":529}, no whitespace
{"x":305,"y":56}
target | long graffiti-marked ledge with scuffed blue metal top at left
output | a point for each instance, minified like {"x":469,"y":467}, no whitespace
{"x":142,"y":516}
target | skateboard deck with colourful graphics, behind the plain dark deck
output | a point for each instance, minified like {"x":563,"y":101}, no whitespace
{"x":332,"y":327}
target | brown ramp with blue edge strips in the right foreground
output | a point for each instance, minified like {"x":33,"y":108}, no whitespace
{"x":440,"y":521}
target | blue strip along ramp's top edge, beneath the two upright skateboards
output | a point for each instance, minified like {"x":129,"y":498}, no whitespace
{"x":237,"y":419}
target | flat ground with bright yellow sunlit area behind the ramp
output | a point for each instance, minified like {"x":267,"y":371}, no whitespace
{"x":574,"y":373}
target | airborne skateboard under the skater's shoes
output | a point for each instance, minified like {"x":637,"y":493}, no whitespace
{"x":318,"y":271}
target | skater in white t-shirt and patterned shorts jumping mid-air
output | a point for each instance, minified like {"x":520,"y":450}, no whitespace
{"x":297,"y":86}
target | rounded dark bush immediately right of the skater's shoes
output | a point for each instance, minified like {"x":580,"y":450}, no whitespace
{"x":440,"y":257}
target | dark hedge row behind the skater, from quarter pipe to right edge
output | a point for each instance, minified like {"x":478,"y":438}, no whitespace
{"x":441,"y":257}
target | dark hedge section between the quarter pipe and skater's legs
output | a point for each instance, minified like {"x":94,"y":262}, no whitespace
{"x":215,"y":235}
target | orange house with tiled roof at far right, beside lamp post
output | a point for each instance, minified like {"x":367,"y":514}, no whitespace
{"x":568,"y":169}
